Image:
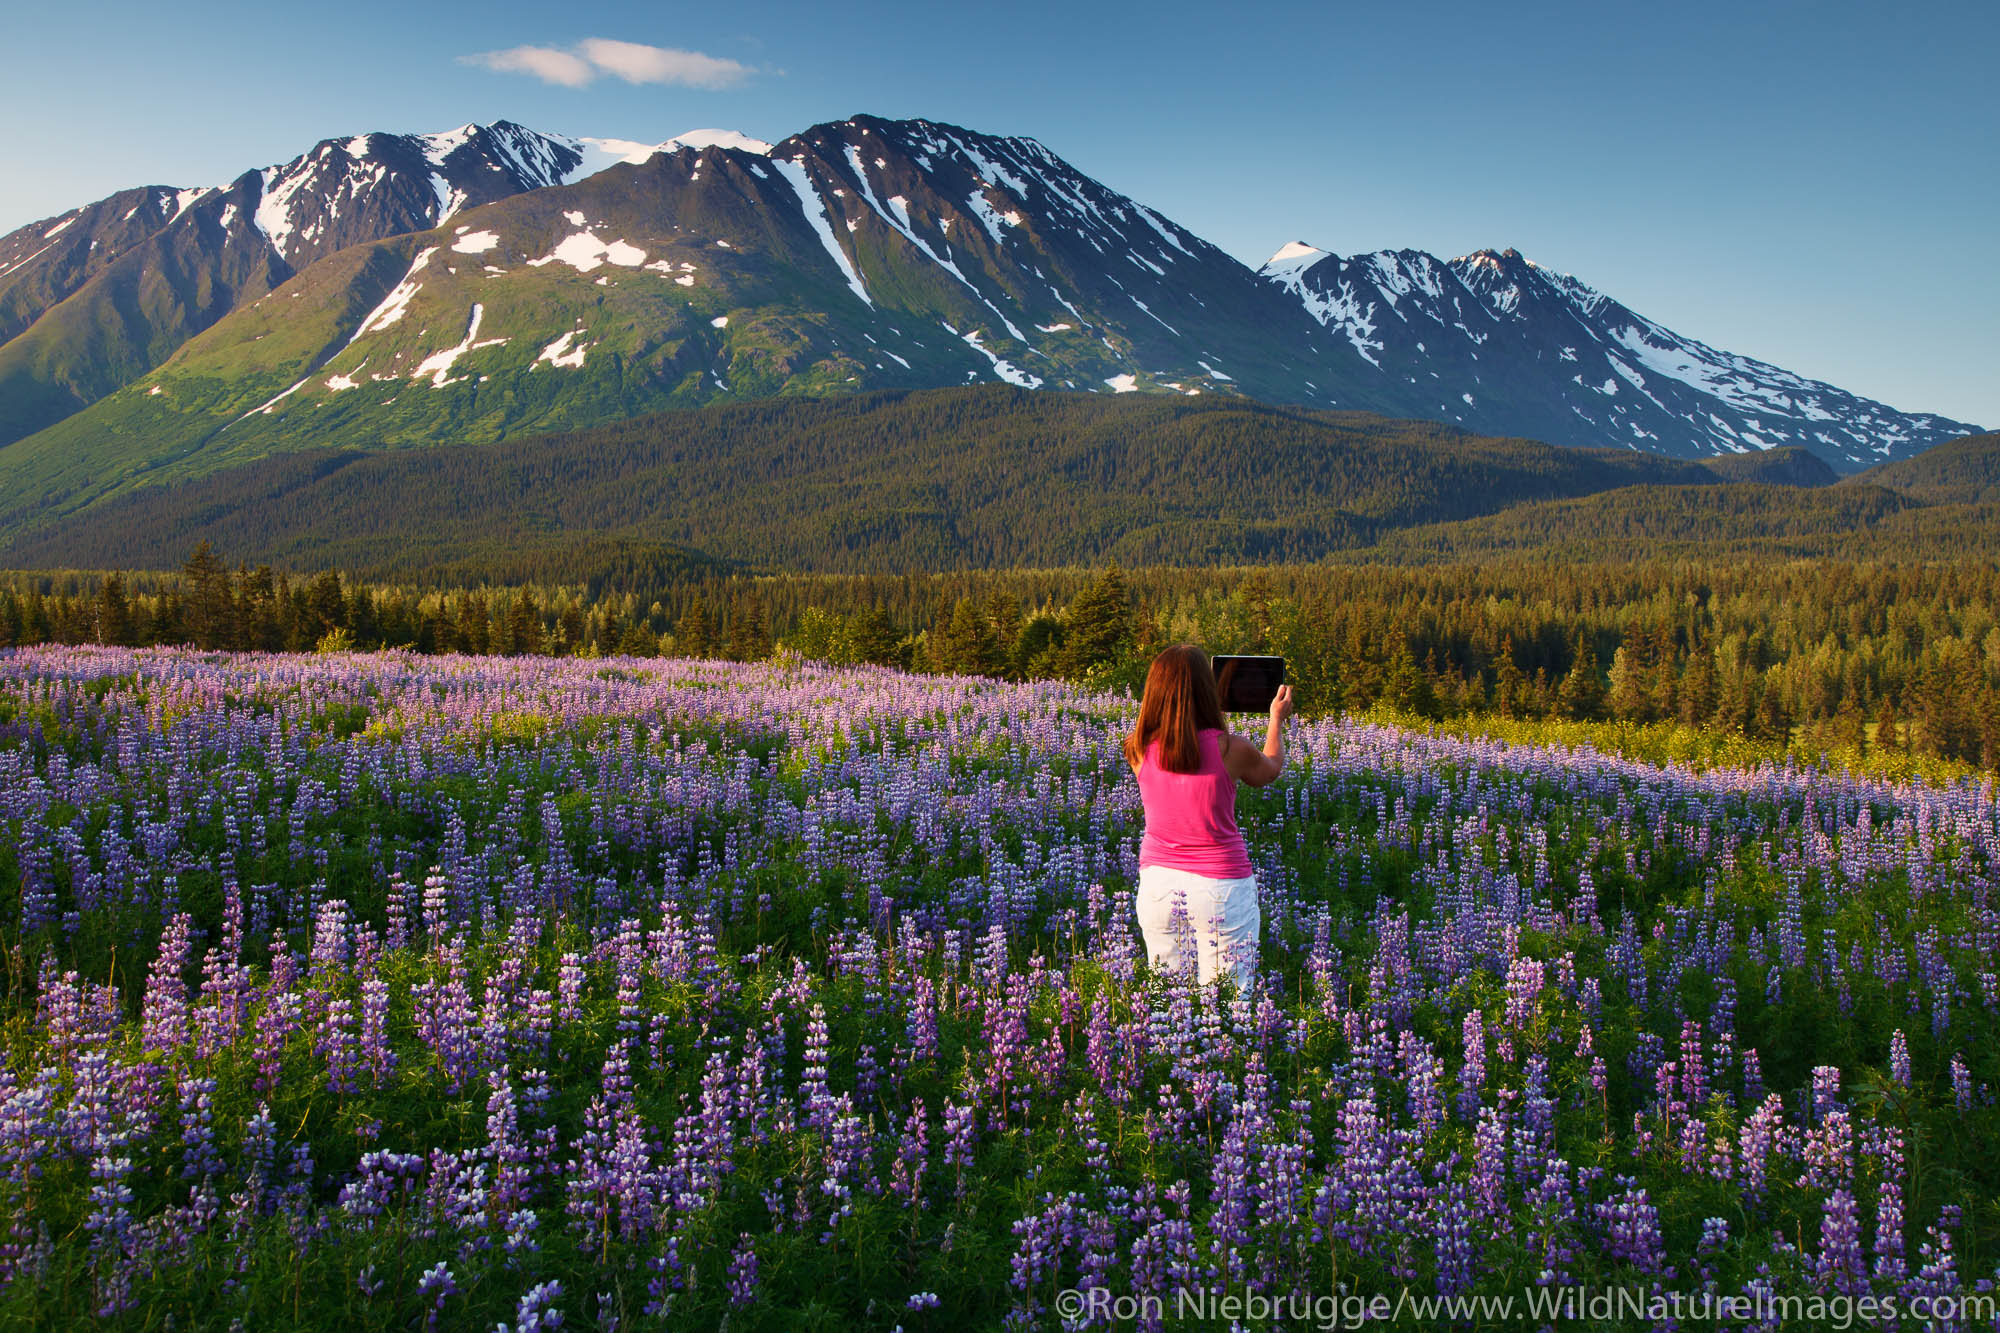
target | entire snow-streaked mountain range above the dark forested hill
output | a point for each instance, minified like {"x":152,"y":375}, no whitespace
{"x":497,"y":283}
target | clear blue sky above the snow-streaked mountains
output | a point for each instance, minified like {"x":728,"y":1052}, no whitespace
{"x":1809,"y":183}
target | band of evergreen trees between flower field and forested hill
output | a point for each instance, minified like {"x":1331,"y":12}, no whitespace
{"x":1845,"y":655}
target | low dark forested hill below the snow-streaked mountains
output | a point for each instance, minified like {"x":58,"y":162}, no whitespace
{"x":883,"y":481}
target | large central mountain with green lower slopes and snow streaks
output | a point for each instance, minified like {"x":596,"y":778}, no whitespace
{"x":867,"y":255}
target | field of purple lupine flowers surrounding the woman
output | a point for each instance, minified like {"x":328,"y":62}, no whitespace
{"x":393,"y":992}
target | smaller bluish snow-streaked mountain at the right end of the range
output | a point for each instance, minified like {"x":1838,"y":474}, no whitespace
{"x":1495,"y":341}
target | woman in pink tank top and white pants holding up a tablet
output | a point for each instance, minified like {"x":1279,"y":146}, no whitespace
{"x":1187,"y":768}
